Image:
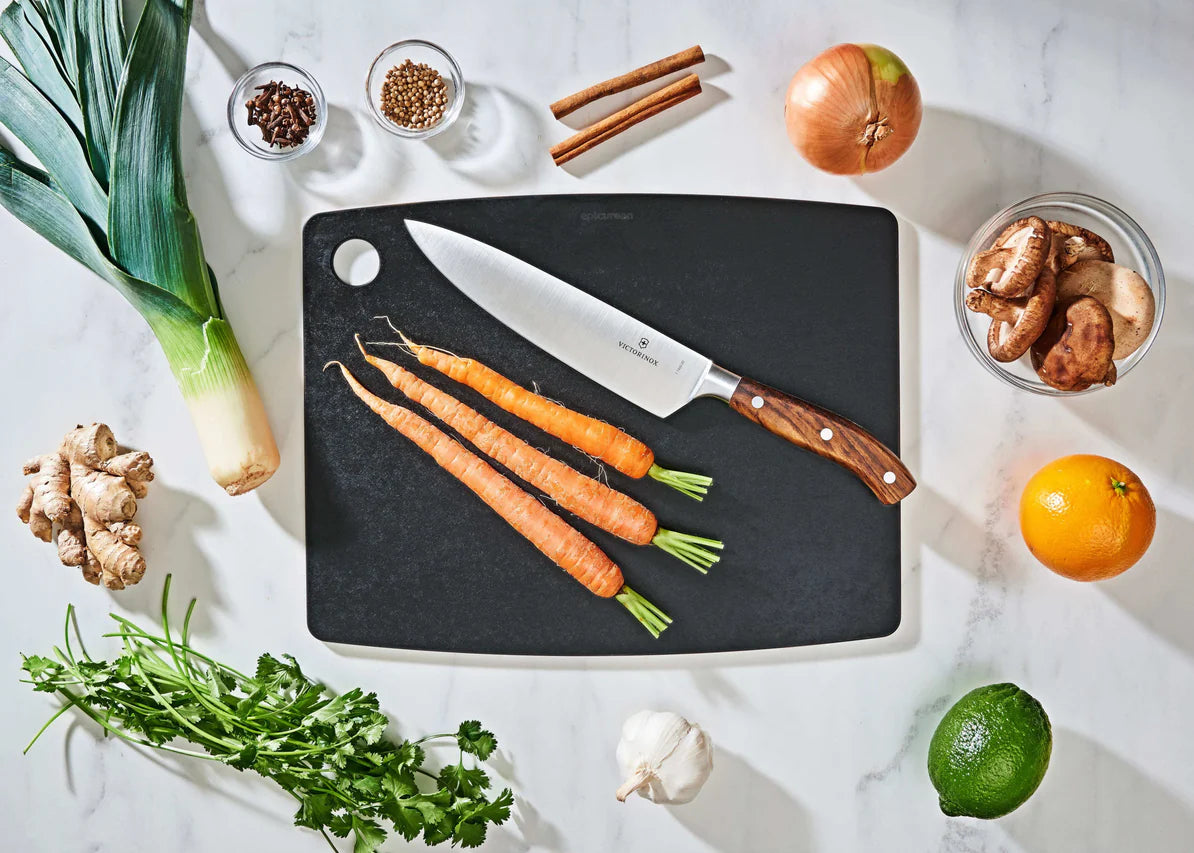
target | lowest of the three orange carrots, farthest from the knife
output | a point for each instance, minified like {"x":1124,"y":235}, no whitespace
{"x":546,"y":531}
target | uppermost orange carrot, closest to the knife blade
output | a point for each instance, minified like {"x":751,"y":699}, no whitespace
{"x":589,"y":435}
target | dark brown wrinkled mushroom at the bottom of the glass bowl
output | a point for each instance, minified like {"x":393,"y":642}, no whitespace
{"x":1075,"y":351}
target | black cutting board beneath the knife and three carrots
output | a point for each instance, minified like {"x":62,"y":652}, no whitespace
{"x":801,"y":296}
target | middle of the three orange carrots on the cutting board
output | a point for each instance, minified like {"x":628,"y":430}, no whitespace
{"x":593,"y":501}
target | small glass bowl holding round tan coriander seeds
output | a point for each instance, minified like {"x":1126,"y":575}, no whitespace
{"x":415,"y":90}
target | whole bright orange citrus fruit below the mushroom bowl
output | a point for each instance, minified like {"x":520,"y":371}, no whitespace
{"x":1087,"y":518}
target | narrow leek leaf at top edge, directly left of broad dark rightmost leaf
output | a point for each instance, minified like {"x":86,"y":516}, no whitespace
{"x":101,"y":57}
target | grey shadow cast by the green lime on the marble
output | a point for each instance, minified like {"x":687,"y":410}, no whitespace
{"x":1093,"y":800}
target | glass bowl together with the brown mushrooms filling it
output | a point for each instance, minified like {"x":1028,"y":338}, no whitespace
{"x":1060,"y":294}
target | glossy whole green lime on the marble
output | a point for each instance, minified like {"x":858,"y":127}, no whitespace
{"x":990,"y":752}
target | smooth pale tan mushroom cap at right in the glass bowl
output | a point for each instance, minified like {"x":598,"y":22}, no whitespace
{"x":1123,"y":292}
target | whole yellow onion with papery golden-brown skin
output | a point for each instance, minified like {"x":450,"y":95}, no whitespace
{"x":853,"y":109}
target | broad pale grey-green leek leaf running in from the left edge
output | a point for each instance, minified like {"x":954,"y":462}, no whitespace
{"x":35,"y":121}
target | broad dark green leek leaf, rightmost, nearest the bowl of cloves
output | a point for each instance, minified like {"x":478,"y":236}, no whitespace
{"x":151,"y":229}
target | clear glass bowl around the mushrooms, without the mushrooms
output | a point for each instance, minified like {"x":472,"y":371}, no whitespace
{"x":1133,"y":249}
